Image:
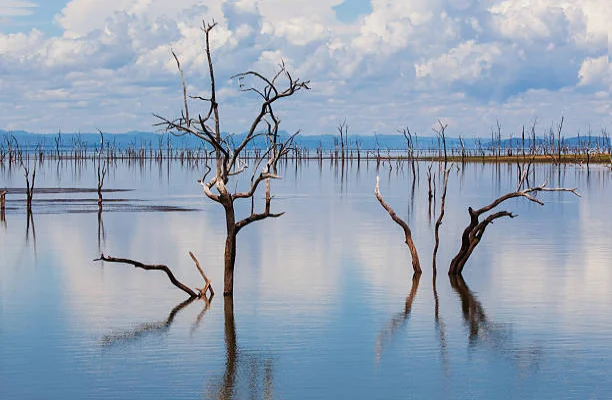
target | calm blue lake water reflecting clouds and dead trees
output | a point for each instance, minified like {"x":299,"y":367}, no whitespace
{"x":325,"y":306}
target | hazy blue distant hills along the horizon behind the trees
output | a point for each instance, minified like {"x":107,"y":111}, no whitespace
{"x":28,"y":140}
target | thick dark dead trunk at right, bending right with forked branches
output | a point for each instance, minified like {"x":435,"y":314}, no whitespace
{"x":475,"y":230}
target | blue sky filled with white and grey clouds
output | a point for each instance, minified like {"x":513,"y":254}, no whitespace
{"x":381,"y":65}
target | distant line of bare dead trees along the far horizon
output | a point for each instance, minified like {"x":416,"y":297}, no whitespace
{"x":549,"y":146}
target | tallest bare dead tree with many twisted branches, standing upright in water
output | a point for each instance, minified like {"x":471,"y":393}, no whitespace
{"x":229,"y":158}
